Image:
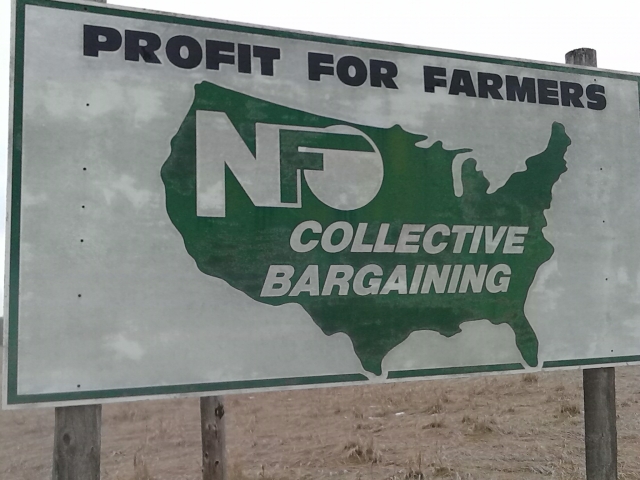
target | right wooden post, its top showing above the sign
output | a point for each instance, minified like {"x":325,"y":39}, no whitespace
{"x":599,"y":384}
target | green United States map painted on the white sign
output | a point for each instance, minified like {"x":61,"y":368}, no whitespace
{"x":444,"y":259}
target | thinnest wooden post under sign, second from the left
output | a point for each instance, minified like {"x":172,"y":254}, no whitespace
{"x":214,"y":458}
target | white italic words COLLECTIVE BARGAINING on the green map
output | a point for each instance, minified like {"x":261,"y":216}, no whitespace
{"x":402,"y":280}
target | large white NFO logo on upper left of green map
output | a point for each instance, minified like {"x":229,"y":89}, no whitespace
{"x":342,"y":166}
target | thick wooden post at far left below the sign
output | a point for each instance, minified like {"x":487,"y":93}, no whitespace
{"x":76,"y":443}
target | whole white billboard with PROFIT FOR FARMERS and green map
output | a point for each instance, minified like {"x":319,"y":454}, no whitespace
{"x":199,"y":206}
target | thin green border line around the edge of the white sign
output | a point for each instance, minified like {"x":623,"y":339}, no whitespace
{"x":13,"y":398}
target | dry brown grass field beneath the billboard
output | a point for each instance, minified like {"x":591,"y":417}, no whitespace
{"x":499,"y":427}
